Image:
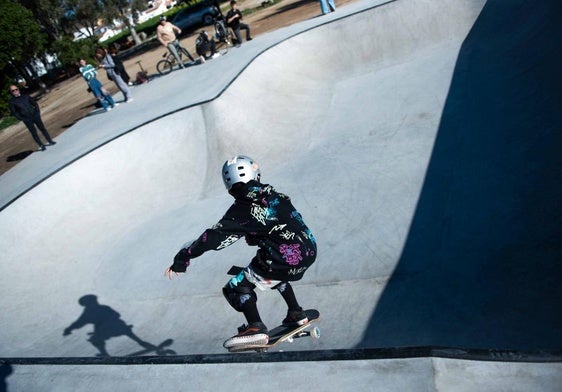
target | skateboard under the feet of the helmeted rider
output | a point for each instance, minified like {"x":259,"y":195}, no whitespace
{"x":283,"y":333}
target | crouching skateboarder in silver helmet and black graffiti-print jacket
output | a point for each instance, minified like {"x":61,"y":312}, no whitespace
{"x":286,"y":248}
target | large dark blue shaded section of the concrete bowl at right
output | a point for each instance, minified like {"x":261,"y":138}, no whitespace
{"x":480,"y":267}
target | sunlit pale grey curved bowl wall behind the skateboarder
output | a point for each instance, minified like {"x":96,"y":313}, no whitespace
{"x":343,"y":118}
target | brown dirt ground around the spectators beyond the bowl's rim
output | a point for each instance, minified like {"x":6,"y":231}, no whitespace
{"x":69,"y":101}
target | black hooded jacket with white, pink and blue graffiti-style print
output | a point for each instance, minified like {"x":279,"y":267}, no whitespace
{"x":267,"y":219}
